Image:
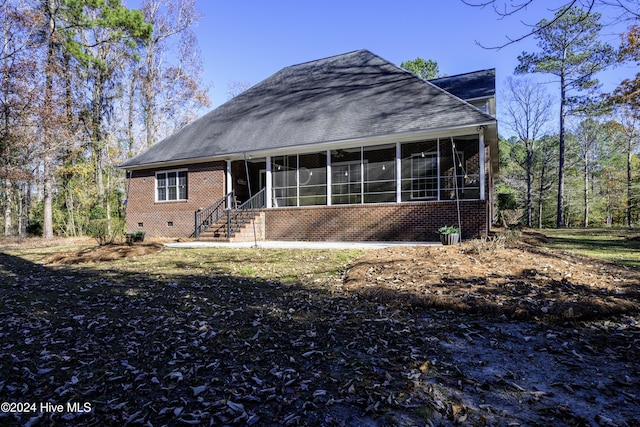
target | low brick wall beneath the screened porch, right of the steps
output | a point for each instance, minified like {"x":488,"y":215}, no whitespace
{"x":417,"y":221}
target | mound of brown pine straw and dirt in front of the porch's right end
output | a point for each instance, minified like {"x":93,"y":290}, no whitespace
{"x":516,"y":280}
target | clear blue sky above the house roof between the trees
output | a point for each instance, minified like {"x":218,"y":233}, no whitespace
{"x":247,"y":41}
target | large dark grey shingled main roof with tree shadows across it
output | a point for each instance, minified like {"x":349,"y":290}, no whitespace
{"x":344,"y":97}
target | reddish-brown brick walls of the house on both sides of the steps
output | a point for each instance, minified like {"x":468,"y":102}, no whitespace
{"x":409,"y":221}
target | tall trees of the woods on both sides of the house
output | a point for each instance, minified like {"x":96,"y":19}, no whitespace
{"x":87,"y":84}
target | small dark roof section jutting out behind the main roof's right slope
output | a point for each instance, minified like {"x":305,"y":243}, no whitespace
{"x":477,"y":84}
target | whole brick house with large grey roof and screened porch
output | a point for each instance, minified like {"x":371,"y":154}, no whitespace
{"x":346,"y":148}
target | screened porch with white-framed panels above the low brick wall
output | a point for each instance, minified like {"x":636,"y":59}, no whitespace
{"x":431,"y":170}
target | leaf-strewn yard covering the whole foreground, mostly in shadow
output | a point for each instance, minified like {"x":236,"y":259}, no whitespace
{"x":275,"y":337}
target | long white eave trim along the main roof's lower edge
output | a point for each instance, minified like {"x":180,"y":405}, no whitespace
{"x":491,"y":138}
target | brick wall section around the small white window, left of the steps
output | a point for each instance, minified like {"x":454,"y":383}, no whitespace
{"x":172,"y":218}
